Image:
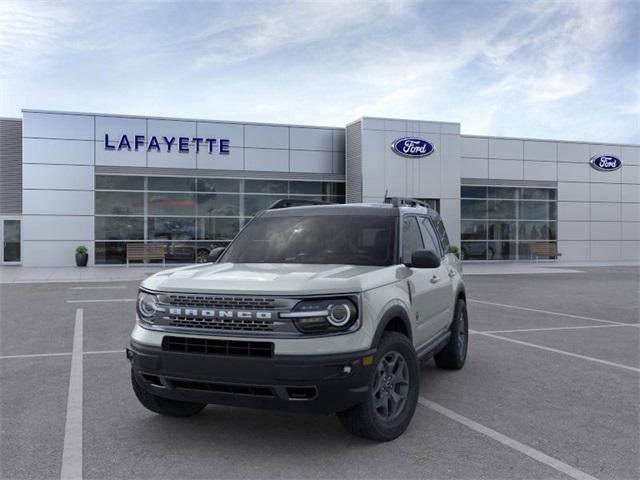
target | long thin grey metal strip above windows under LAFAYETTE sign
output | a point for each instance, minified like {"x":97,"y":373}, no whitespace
{"x":184,"y":172}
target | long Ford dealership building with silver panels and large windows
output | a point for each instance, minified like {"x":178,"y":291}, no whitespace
{"x":112,"y":181}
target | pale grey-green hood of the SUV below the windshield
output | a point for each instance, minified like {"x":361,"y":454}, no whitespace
{"x":270,"y":278}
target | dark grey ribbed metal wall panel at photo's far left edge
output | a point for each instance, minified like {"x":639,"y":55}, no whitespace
{"x":11,"y":166}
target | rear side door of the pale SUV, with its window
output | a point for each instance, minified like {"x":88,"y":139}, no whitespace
{"x":442,"y":282}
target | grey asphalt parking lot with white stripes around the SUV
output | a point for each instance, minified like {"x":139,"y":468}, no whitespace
{"x":550,"y":390}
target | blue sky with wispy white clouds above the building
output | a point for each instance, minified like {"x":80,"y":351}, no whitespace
{"x":536,"y":69}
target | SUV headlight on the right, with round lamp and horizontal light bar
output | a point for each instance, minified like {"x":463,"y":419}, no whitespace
{"x":324,"y":315}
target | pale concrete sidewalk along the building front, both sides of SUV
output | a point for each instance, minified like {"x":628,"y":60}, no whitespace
{"x":10,"y":274}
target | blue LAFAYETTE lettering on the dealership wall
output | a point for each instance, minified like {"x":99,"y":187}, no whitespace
{"x":158,"y":144}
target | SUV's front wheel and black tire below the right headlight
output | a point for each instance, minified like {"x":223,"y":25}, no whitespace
{"x":368,"y":419}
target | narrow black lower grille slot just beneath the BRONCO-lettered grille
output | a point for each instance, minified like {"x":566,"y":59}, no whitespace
{"x":218,"y":347}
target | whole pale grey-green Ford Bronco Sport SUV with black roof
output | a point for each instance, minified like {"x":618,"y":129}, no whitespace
{"x":321,"y":308}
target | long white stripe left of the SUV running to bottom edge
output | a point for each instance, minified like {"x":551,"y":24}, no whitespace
{"x":72,"y":449}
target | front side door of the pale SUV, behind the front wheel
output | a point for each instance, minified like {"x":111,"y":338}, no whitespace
{"x":424,"y":290}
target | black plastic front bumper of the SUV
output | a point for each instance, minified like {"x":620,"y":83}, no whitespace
{"x":310,"y":383}
